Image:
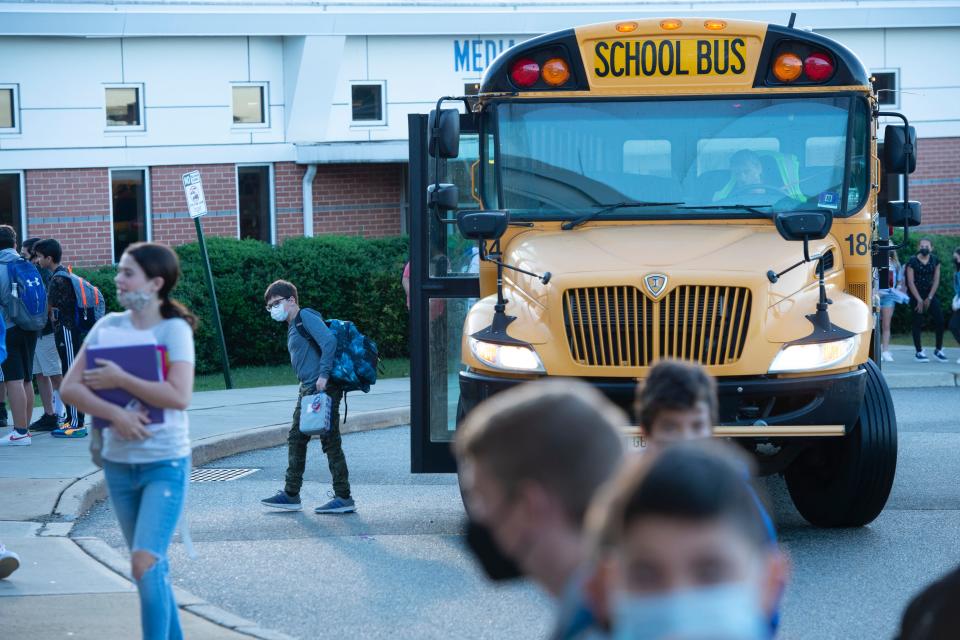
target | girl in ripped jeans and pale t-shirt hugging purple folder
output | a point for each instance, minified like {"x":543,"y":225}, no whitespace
{"x":146,"y":463}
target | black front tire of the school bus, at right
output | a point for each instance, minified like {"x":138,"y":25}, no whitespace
{"x":845,"y":482}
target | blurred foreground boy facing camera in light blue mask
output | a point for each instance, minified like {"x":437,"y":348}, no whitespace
{"x":682,"y":551}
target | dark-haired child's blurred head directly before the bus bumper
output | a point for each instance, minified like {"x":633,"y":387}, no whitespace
{"x":677,"y":401}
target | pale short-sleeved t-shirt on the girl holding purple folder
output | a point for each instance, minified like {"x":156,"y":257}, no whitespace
{"x":170,"y":439}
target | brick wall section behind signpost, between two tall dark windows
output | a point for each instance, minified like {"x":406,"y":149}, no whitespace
{"x":171,"y":221}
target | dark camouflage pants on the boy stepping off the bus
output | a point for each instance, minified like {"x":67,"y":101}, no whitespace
{"x":331,"y":444}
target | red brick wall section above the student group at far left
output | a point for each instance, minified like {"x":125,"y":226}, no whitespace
{"x":73,"y":206}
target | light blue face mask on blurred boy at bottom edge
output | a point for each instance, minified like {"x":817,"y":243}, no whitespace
{"x":723,"y":612}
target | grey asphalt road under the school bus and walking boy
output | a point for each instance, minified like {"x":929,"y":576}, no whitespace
{"x":397,"y":568}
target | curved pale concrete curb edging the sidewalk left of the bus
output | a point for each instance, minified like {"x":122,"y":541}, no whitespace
{"x":83,"y":493}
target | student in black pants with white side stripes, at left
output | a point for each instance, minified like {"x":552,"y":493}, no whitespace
{"x":68,"y":336}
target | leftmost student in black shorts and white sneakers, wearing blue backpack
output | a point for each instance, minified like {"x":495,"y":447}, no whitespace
{"x":21,"y":344}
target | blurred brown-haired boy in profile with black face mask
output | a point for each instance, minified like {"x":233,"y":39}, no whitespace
{"x":530,"y":459}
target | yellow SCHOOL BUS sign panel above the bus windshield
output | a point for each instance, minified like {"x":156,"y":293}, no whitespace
{"x":679,"y":58}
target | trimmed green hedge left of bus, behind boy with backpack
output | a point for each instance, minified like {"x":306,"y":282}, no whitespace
{"x":343,"y":277}
